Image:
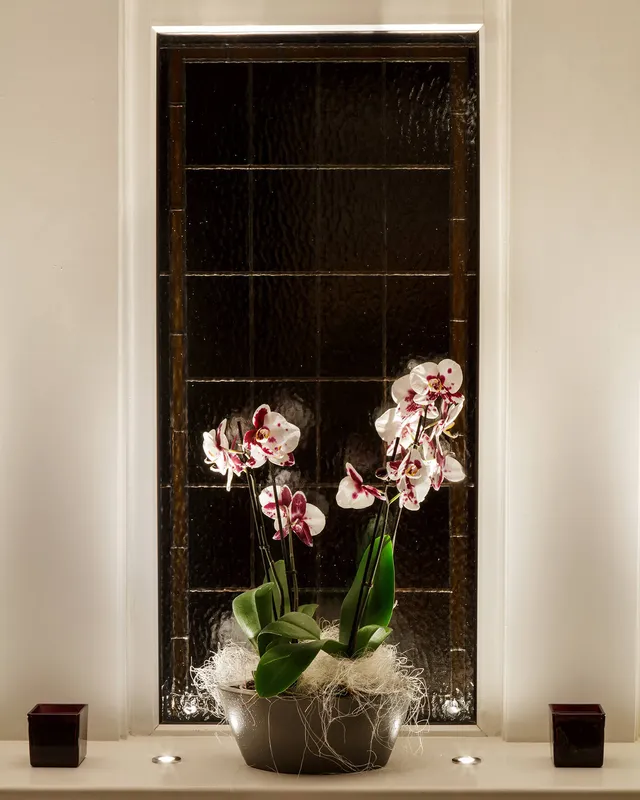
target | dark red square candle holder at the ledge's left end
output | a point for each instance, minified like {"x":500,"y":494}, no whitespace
{"x":58,"y":734}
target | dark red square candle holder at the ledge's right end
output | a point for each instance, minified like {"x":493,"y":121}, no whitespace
{"x":577,"y":735}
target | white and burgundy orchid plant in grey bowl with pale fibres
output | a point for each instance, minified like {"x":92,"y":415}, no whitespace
{"x":307,"y":695}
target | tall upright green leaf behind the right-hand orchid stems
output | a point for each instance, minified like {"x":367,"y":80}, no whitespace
{"x":379,"y":606}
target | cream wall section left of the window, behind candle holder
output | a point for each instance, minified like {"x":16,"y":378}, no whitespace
{"x":59,"y":585}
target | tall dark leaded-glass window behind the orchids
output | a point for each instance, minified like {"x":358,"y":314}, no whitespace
{"x":317,"y":233}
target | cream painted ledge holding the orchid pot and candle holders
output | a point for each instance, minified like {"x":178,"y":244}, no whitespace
{"x":211,"y":767}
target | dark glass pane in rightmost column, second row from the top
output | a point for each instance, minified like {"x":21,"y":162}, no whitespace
{"x":418,"y":220}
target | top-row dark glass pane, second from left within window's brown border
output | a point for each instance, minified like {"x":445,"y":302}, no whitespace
{"x":284,"y":113}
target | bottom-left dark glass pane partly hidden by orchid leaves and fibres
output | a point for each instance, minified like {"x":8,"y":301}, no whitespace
{"x":211,"y":623}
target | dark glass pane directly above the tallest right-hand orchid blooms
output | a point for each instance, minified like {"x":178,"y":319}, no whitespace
{"x":417,"y":322}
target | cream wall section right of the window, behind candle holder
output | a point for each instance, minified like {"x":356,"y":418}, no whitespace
{"x":572,"y":549}
